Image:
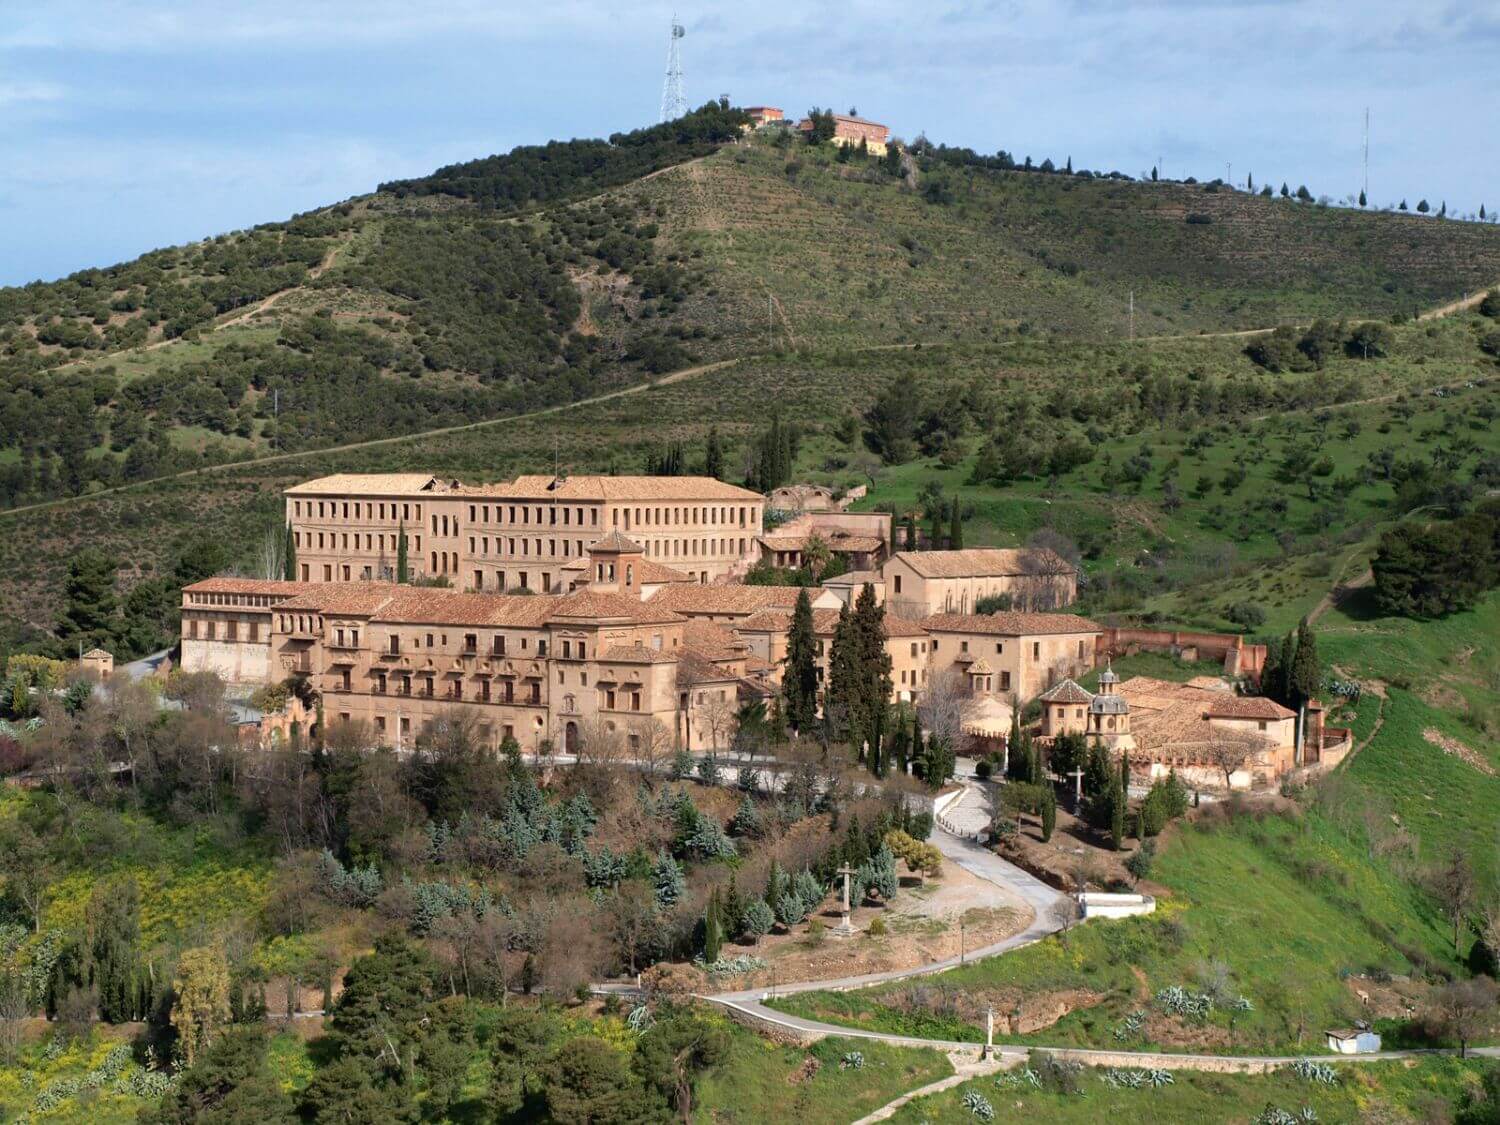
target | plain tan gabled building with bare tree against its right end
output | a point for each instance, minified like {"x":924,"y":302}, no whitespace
{"x":920,"y":583}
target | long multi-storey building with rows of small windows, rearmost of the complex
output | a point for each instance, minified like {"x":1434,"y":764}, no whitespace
{"x":515,"y":536}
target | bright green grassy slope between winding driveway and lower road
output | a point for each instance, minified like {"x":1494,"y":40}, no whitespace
{"x":1285,"y":907}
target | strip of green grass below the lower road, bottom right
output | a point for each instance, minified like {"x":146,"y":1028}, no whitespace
{"x":1369,"y":1093}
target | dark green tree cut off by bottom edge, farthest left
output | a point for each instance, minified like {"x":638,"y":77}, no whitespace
{"x":230,"y":1085}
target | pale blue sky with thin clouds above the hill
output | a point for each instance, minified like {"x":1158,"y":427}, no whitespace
{"x":127,"y":125}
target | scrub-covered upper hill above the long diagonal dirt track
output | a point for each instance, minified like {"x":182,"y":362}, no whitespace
{"x":559,"y":272}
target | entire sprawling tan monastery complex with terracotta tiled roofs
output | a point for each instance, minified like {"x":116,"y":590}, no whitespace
{"x":554,"y":608}
